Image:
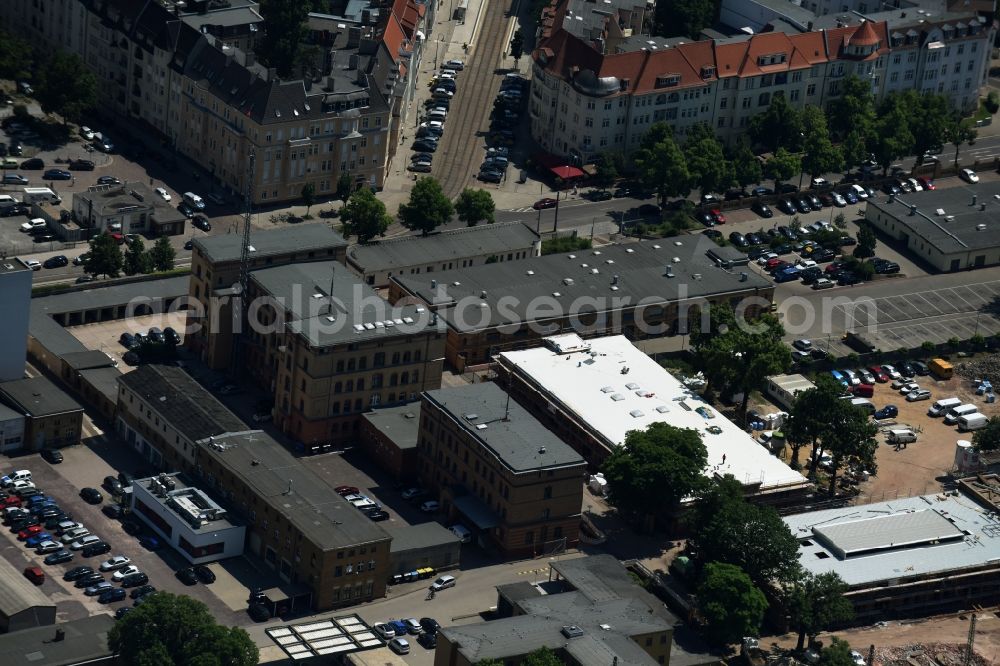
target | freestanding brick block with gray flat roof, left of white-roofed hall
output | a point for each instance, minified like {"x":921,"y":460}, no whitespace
{"x":499,"y":471}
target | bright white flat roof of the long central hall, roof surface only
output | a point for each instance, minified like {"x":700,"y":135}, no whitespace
{"x":591,"y":385}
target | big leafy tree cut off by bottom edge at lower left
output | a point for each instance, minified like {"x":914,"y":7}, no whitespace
{"x":175,"y":629}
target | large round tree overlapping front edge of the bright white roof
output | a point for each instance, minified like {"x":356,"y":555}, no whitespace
{"x":655,"y":468}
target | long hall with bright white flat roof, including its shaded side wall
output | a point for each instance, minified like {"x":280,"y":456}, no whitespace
{"x":591,"y":393}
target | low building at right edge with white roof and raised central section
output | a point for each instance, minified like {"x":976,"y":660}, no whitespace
{"x":909,"y":557}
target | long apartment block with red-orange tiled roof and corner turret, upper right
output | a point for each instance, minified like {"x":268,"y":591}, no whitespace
{"x":598,"y":84}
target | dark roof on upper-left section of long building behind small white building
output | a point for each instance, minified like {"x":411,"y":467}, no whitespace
{"x":181,"y":401}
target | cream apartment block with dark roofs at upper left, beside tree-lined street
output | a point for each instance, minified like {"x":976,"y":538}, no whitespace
{"x":187,"y":70}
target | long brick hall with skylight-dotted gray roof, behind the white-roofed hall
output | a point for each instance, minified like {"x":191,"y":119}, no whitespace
{"x":641,"y":290}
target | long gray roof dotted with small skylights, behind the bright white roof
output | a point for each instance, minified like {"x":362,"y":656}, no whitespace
{"x":552,"y":286}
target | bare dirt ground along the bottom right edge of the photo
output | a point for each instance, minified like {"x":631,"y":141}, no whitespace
{"x":950,"y":630}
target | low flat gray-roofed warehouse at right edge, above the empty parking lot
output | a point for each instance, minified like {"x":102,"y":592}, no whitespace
{"x":953,"y":229}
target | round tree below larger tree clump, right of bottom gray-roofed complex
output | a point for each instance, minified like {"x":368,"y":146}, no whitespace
{"x":730,"y":604}
